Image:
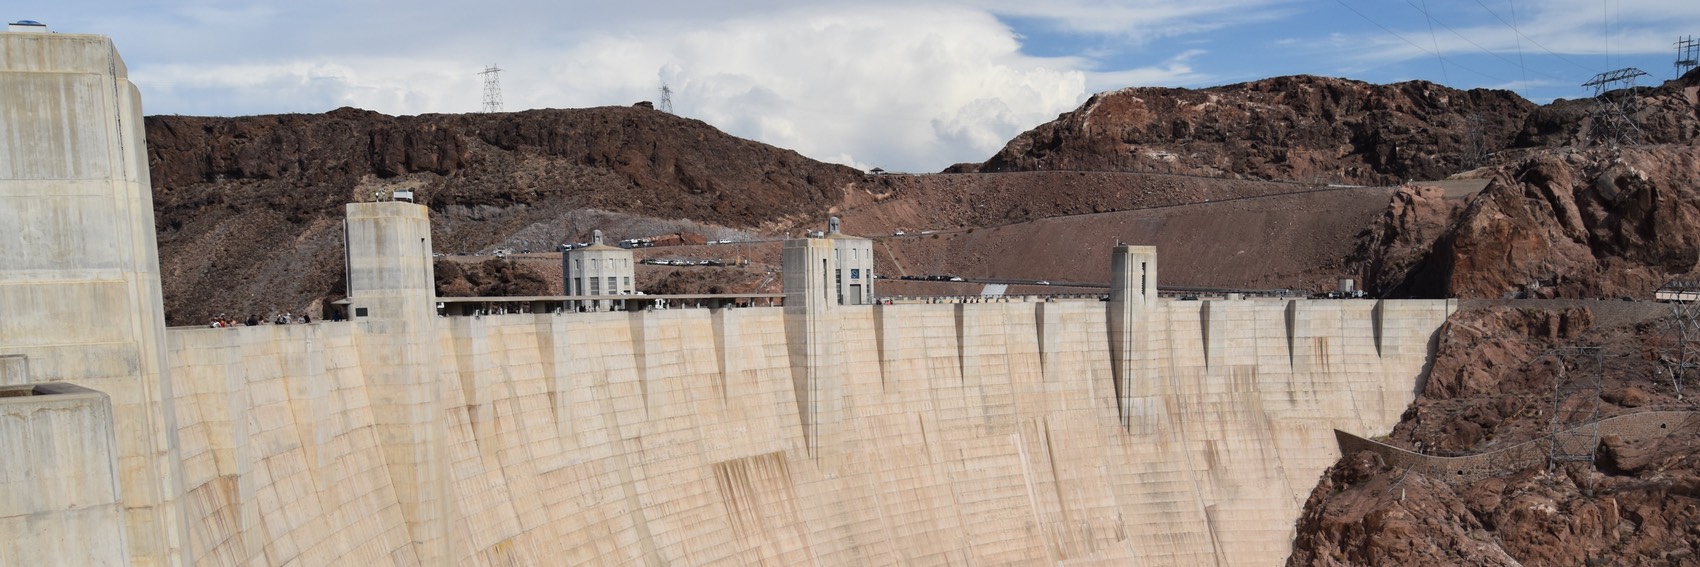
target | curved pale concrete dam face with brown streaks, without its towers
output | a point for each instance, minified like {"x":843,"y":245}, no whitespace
{"x":980,"y":434}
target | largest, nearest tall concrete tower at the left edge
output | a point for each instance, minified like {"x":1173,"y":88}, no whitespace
{"x":79,"y":264}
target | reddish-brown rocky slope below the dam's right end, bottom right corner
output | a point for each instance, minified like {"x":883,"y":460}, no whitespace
{"x":1490,"y":390}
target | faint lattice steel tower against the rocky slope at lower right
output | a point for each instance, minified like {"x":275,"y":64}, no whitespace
{"x":1577,"y":407}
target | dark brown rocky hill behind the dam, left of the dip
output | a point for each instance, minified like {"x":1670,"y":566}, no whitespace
{"x":251,"y":208}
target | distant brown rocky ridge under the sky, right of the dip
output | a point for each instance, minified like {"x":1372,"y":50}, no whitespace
{"x":1289,"y":128}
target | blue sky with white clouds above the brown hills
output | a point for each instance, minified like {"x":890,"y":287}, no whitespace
{"x":910,"y":86}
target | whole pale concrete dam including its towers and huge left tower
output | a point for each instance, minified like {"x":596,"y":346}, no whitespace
{"x":824,"y":432}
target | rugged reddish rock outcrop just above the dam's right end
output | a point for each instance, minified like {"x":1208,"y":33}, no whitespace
{"x":1594,"y":223}
